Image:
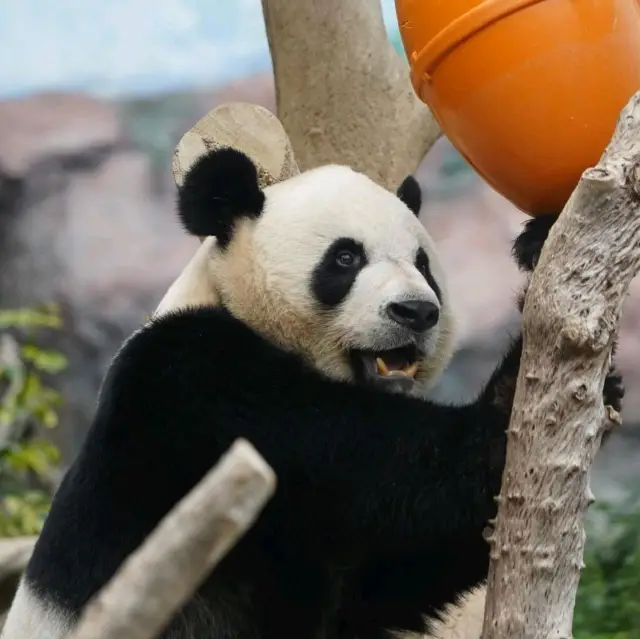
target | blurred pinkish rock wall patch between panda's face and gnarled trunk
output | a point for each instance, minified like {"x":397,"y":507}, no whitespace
{"x":473,"y":228}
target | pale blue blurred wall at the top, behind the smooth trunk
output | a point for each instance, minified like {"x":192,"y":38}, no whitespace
{"x":132,"y":47}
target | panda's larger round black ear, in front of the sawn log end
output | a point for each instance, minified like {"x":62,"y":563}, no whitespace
{"x":219,"y":189}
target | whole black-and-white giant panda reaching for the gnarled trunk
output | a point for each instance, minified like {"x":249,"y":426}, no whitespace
{"x":330,"y":318}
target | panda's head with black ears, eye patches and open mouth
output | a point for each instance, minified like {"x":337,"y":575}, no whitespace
{"x":328,"y":265}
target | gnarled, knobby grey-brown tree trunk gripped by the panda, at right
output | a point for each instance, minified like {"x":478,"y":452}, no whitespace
{"x":570,"y":321}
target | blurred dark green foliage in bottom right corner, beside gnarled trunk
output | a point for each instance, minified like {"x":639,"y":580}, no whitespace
{"x":608,"y":602}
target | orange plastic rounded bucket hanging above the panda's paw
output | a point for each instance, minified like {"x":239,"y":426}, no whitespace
{"x":528,"y":91}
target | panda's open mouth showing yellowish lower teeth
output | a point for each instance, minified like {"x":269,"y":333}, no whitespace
{"x":396,"y":368}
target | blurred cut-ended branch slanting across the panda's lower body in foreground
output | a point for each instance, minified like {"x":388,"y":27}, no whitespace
{"x":158,"y":578}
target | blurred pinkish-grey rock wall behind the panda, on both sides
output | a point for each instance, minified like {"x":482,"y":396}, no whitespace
{"x":87,"y":219}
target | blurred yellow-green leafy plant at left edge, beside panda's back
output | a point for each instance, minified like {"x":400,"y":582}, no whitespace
{"x":27,"y":404}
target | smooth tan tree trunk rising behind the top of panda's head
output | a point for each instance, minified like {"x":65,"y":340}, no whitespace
{"x":343,"y":93}
